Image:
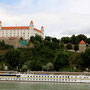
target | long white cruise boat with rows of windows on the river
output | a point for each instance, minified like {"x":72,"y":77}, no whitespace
{"x":47,"y":77}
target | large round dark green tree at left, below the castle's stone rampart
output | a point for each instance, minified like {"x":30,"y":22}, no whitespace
{"x":15,"y":59}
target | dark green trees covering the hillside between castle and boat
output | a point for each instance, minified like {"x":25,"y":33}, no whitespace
{"x":48,"y":54}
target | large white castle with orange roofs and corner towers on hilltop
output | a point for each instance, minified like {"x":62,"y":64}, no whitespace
{"x":20,"y":31}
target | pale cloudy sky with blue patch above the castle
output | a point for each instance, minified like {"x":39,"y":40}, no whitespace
{"x":59,"y":17}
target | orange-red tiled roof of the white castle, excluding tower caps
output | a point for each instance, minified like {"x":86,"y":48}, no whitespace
{"x":18,"y":27}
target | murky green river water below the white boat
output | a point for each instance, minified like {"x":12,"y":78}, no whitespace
{"x":43,"y":86}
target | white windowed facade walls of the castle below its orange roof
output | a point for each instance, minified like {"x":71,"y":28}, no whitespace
{"x":25,"y":33}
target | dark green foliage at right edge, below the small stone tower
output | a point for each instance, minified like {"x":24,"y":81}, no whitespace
{"x":82,"y":61}
